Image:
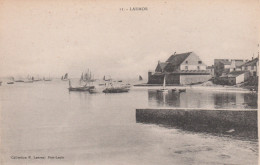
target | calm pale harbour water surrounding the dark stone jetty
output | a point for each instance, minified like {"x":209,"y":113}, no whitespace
{"x":44,"y":123}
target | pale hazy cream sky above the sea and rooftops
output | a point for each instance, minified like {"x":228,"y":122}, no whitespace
{"x":53,"y":37}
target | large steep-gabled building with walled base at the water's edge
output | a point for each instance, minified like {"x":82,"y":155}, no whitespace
{"x":184,"y":68}
